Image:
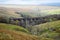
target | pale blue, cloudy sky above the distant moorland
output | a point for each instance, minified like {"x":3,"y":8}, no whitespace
{"x":28,"y":2}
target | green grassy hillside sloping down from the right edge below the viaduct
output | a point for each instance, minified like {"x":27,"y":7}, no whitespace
{"x":49,"y":30}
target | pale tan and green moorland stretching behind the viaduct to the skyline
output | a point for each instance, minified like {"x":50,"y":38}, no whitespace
{"x":32,"y":11}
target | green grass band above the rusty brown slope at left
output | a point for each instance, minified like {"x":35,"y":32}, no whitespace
{"x":12,"y":27}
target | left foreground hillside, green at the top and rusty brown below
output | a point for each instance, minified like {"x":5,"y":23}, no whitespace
{"x":13,"y":32}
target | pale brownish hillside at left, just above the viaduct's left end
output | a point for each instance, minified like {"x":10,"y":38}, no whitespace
{"x":8,"y":12}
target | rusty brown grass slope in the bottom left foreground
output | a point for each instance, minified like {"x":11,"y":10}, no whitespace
{"x":13,"y":35}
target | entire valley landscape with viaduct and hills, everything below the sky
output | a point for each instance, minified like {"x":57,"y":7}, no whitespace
{"x":19,"y":22}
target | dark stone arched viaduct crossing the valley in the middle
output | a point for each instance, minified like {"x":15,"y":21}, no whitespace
{"x":27,"y":22}
